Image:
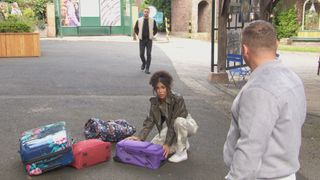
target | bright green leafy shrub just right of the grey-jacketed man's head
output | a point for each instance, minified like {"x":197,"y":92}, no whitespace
{"x":286,"y":23}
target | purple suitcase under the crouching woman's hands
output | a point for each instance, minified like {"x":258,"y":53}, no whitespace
{"x":140,"y":153}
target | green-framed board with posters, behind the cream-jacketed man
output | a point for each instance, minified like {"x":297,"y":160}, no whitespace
{"x":93,"y":17}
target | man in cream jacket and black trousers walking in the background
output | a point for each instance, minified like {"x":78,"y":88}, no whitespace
{"x":145,"y":28}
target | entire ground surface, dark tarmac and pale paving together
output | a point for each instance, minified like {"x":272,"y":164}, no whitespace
{"x":79,"y":78}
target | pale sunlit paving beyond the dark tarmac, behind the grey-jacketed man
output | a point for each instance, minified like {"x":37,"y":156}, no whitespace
{"x":191,"y":59}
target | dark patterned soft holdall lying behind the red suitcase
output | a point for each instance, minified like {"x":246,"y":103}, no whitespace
{"x":110,"y":131}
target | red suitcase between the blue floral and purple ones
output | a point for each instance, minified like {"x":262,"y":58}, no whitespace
{"x":90,"y":152}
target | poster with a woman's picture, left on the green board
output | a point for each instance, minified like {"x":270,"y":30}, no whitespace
{"x":70,"y":13}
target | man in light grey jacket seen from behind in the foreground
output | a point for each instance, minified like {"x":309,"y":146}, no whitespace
{"x":264,"y":138}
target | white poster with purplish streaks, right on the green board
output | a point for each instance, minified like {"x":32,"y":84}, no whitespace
{"x":110,"y":13}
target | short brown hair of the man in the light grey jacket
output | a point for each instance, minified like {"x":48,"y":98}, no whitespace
{"x":259,"y":35}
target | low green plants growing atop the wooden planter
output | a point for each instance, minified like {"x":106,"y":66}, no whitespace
{"x":16,"y":24}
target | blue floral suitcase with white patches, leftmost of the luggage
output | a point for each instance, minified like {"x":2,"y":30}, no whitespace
{"x":45,"y":148}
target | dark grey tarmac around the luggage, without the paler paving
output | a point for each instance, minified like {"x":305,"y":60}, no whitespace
{"x":73,"y":81}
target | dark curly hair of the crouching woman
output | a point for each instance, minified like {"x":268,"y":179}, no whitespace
{"x":161,"y":76}
